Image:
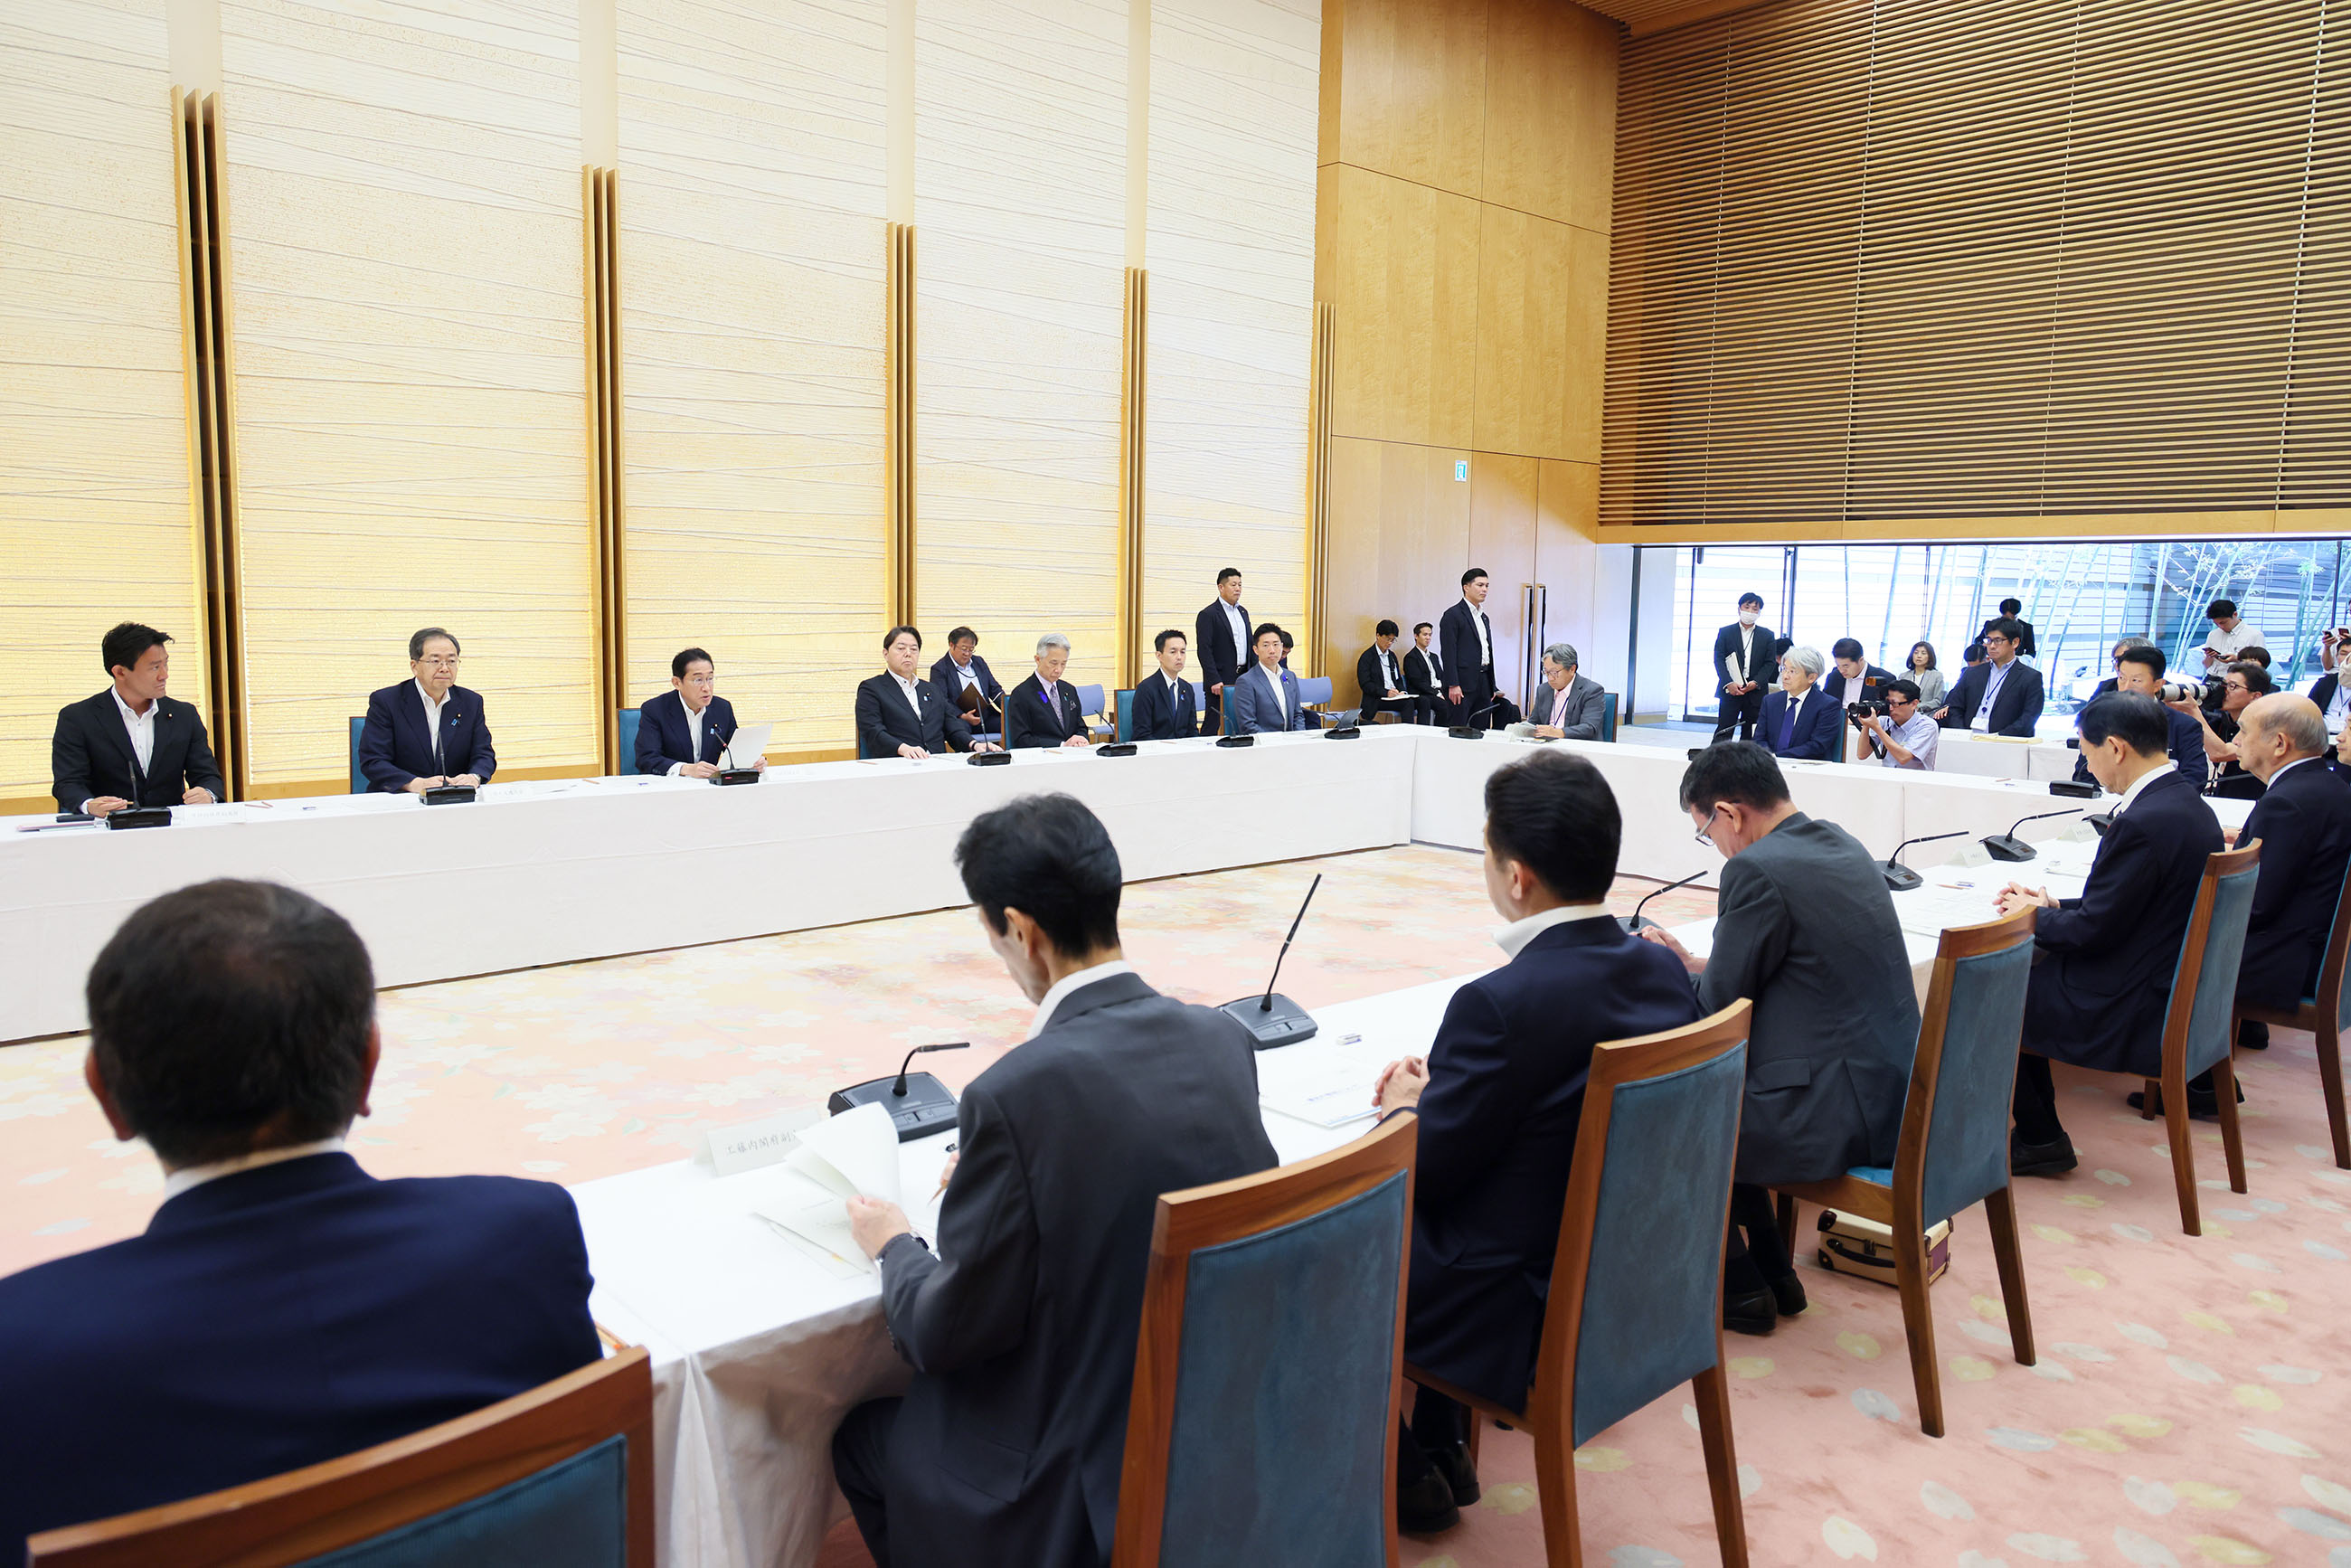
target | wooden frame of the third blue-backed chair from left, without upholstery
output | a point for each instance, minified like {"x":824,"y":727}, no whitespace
{"x":1550,"y":1407}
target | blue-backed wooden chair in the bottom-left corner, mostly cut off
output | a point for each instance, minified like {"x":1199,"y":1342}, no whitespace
{"x":561,"y":1475}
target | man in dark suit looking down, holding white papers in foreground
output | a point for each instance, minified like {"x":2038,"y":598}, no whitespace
{"x":1022,"y":1327}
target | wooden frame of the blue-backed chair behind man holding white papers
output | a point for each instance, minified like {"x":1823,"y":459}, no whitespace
{"x":1212,"y":1217}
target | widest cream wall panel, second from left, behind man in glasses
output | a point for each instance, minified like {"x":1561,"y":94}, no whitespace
{"x":406,"y":293}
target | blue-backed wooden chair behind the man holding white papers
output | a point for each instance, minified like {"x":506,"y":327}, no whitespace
{"x":1264,"y":1419}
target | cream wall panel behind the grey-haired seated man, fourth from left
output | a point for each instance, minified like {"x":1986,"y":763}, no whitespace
{"x":1022,"y":250}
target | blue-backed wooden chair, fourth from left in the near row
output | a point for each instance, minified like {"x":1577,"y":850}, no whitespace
{"x":1955,"y":1137}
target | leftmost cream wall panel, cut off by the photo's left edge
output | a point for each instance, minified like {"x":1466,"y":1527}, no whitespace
{"x":95,"y":497}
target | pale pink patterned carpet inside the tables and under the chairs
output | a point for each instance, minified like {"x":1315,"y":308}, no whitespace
{"x":2192,"y":1400}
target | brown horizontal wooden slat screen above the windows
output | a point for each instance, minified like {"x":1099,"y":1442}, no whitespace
{"x":1981,"y":260}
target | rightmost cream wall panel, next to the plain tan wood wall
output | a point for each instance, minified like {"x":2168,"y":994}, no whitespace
{"x":1231,"y":253}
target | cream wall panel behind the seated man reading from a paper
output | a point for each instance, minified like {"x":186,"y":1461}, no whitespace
{"x":753,"y":210}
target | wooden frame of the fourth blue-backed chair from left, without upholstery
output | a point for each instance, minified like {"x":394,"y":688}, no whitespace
{"x":1903,"y":1207}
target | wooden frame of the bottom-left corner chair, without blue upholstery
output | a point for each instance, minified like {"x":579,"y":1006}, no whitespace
{"x":340,"y":1503}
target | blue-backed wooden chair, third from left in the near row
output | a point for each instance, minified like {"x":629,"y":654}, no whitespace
{"x":1637,"y":1285}
